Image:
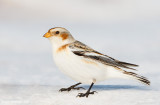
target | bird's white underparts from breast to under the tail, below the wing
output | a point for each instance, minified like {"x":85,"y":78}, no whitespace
{"x":76,"y":67}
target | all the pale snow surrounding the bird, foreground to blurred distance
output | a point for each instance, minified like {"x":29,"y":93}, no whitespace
{"x":128,"y":31}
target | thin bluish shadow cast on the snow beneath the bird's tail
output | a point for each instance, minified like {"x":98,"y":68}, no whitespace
{"x":117,"y":87}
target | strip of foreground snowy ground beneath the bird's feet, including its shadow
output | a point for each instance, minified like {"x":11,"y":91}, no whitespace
{"x":48,"y":95}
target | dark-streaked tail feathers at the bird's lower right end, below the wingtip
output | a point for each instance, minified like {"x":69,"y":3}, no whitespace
{"x":142,"y":79}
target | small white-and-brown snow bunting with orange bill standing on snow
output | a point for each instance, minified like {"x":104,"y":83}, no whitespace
{"x":85,"y":65}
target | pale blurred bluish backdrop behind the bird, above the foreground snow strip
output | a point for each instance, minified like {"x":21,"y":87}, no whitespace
{"x":128,"y":30}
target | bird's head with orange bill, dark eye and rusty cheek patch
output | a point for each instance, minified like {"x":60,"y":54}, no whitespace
{"x":59,"y":36}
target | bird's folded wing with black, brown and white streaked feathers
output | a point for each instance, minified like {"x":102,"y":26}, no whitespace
{"x":83,"y":50}
